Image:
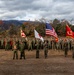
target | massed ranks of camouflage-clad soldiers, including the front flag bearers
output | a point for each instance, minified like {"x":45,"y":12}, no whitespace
{"x":30,"y":44}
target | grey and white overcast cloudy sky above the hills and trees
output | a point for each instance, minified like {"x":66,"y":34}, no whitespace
{"x":35,"y":9}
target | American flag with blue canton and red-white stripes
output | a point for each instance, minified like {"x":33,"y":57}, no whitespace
{"x":50,"y":30}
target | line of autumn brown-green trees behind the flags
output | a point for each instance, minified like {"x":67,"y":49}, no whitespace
{"x":28,"y":28}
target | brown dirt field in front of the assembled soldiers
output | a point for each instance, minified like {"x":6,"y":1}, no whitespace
{"x":55,"y":64}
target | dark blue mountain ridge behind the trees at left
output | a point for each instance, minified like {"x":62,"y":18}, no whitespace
{"x":5,"y":24}
